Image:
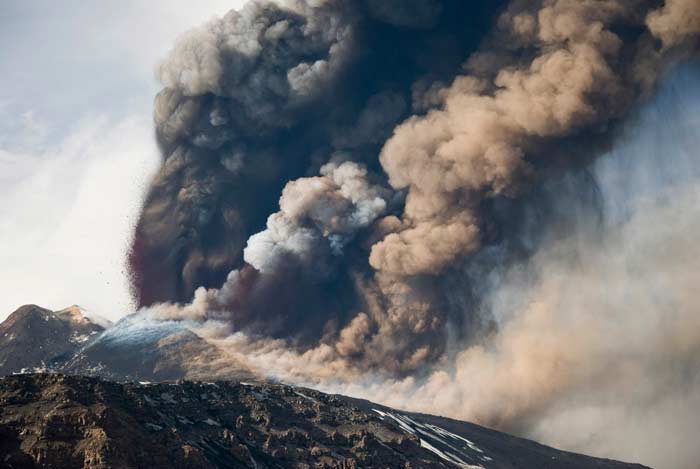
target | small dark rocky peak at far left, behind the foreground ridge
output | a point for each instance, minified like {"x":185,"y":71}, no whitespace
{"x":37,"y":338}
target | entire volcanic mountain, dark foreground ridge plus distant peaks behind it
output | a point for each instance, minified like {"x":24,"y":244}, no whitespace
{"x":79,"y":420}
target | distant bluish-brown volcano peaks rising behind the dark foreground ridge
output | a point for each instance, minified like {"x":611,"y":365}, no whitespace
{"x":72,"y":341}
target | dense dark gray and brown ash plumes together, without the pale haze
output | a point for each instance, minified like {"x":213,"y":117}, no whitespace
{"x":389,"y":246}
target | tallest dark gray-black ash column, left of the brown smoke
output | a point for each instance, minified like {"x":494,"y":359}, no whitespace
{"x":267,"y":95}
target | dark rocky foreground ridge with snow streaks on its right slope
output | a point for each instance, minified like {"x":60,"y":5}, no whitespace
{"x":78,"y":422}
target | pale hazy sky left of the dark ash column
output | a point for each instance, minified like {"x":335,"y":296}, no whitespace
{"x":76,"y":91}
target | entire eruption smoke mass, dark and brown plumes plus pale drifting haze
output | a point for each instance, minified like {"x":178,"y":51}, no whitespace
{"x":410,"y":196}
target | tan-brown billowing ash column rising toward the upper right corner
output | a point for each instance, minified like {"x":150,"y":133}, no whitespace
{"x":494,"y":124}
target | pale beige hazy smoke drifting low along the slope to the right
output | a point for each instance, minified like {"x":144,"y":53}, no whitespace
{"x":598,"y":343}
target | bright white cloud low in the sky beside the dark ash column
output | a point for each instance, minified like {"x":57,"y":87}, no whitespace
{"x":65,"y":221}
